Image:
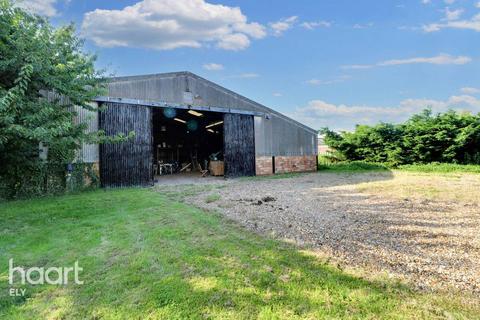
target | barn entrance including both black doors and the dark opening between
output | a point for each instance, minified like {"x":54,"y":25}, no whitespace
{"x":173,"y":141}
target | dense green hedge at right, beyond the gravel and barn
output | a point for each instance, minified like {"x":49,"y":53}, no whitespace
{"x":450,"y":137}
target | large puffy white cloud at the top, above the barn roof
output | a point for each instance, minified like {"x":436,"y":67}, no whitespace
{"x":170,"y":24}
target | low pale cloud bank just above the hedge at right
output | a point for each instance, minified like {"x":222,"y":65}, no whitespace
{"x":318,"y":113}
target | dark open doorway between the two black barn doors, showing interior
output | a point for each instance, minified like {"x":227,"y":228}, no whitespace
{"x":187,"y":142}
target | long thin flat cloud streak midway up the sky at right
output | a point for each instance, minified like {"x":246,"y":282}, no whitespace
{"x":442,"y":59}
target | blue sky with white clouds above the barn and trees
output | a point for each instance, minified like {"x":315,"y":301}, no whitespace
{"x":325,"y":63}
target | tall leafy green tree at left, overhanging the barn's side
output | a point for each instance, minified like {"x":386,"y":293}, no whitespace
{"x":43,"y":74}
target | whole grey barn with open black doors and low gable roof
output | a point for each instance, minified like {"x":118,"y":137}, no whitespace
{"x":184,"y":123}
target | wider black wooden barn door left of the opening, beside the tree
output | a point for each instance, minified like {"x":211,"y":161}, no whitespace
{"x":128,"y":163}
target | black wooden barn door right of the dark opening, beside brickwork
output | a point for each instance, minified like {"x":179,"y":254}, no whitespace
{"x":239,"y":145}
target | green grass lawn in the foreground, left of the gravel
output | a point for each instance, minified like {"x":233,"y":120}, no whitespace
{"x":145,"y":256}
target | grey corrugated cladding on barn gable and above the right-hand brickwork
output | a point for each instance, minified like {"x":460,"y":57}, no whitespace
{"x":278,"y":135}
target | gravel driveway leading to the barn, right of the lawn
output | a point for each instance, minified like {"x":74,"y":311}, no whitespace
{"x":431,"y":244}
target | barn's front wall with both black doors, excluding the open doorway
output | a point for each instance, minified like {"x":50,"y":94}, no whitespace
{"x":276,"y":142}
